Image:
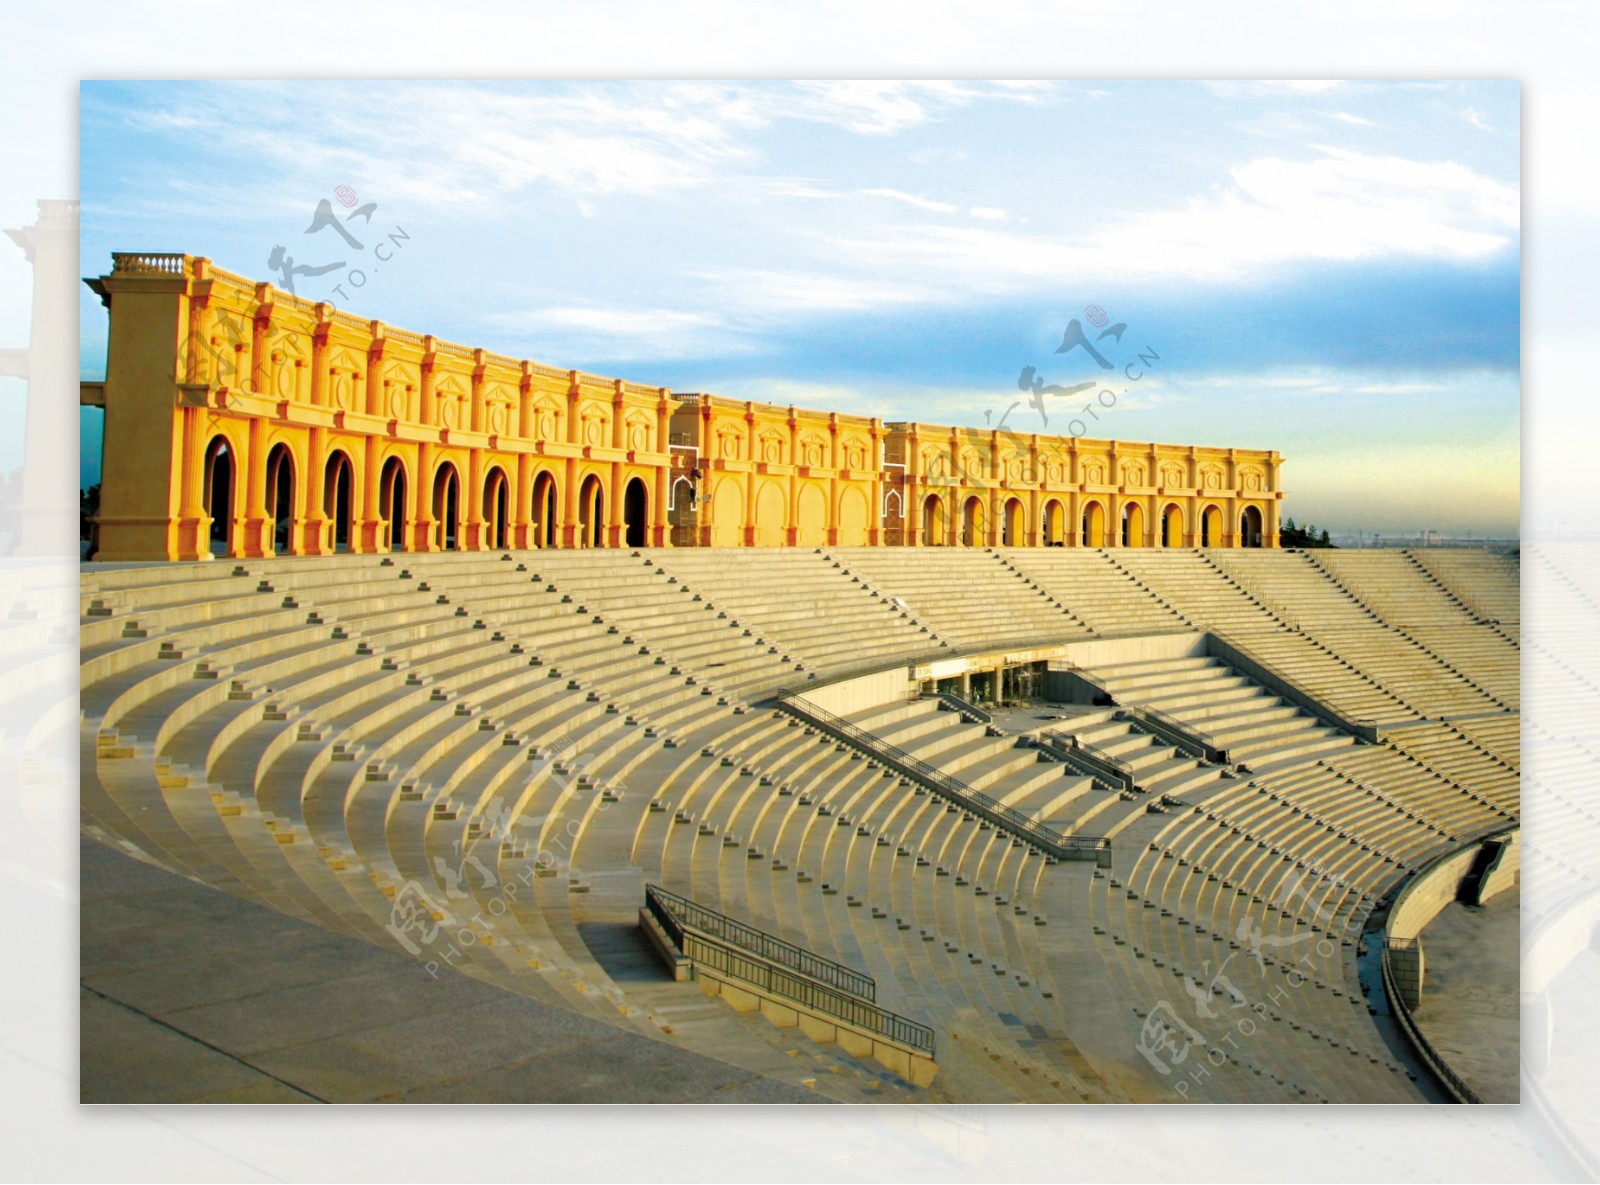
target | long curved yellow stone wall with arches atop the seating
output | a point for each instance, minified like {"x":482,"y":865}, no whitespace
{"x":246,"y":421}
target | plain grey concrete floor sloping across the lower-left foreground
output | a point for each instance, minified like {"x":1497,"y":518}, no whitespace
{"x":191,"y":995}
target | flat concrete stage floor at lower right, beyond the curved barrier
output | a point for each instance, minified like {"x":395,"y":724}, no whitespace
{"x":1471,"y":994}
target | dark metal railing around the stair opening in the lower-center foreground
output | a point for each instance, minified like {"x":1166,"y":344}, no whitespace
{"x":737,"y":962}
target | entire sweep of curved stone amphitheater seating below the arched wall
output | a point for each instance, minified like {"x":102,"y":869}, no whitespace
{"x":873,"y":823}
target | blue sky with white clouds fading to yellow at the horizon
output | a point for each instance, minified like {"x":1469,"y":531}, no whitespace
{"x":1327,"y":269}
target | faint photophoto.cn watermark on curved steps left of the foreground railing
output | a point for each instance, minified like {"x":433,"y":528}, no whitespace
{"x":422,"y":919}
